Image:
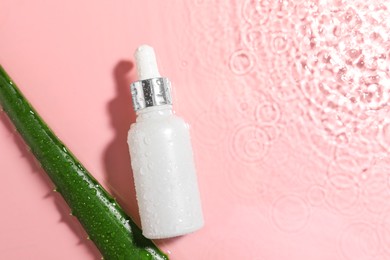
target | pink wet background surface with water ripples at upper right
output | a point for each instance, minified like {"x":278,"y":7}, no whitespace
{"x":288,"y":103}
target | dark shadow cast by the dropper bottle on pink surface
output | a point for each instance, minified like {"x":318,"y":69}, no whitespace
{"x":116,"y":156}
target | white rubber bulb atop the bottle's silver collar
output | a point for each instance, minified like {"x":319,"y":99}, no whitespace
{"x":146,"y":63}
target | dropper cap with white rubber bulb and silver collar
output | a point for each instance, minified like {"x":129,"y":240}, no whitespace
{"x":151,"y":89}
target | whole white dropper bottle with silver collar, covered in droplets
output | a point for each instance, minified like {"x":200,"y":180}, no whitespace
{"x":161,"y":156}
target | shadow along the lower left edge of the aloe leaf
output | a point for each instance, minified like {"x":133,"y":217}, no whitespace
{"x":59,"y":202}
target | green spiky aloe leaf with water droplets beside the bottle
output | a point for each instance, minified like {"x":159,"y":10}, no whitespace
{"x":108,"y":226}
